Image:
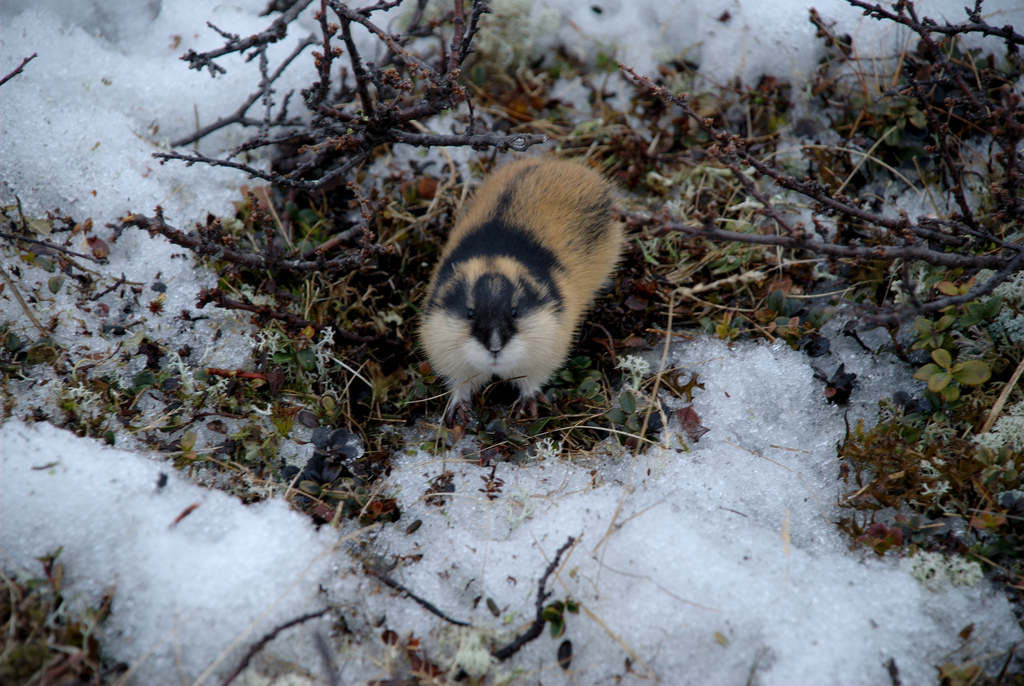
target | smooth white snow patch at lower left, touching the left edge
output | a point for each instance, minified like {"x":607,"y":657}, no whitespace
{"x":224,"y":572}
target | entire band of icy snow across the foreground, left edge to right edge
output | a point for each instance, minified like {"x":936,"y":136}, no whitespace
{"x":699,"y":556}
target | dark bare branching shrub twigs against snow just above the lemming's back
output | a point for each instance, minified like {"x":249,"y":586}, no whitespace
{"x":378,"y":110}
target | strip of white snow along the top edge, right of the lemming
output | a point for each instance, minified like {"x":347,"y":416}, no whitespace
{"x":735,"y":39}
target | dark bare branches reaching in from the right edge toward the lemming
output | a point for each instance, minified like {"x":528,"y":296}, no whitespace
{"x":958,"y":242}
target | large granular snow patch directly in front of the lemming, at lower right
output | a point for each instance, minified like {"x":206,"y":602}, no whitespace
{"x":677,"y":546}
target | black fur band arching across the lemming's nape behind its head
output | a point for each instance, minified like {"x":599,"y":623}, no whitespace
{"x":496,"y":239}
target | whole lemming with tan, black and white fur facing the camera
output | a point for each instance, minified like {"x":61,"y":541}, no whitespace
{"x":518,"y":275}
